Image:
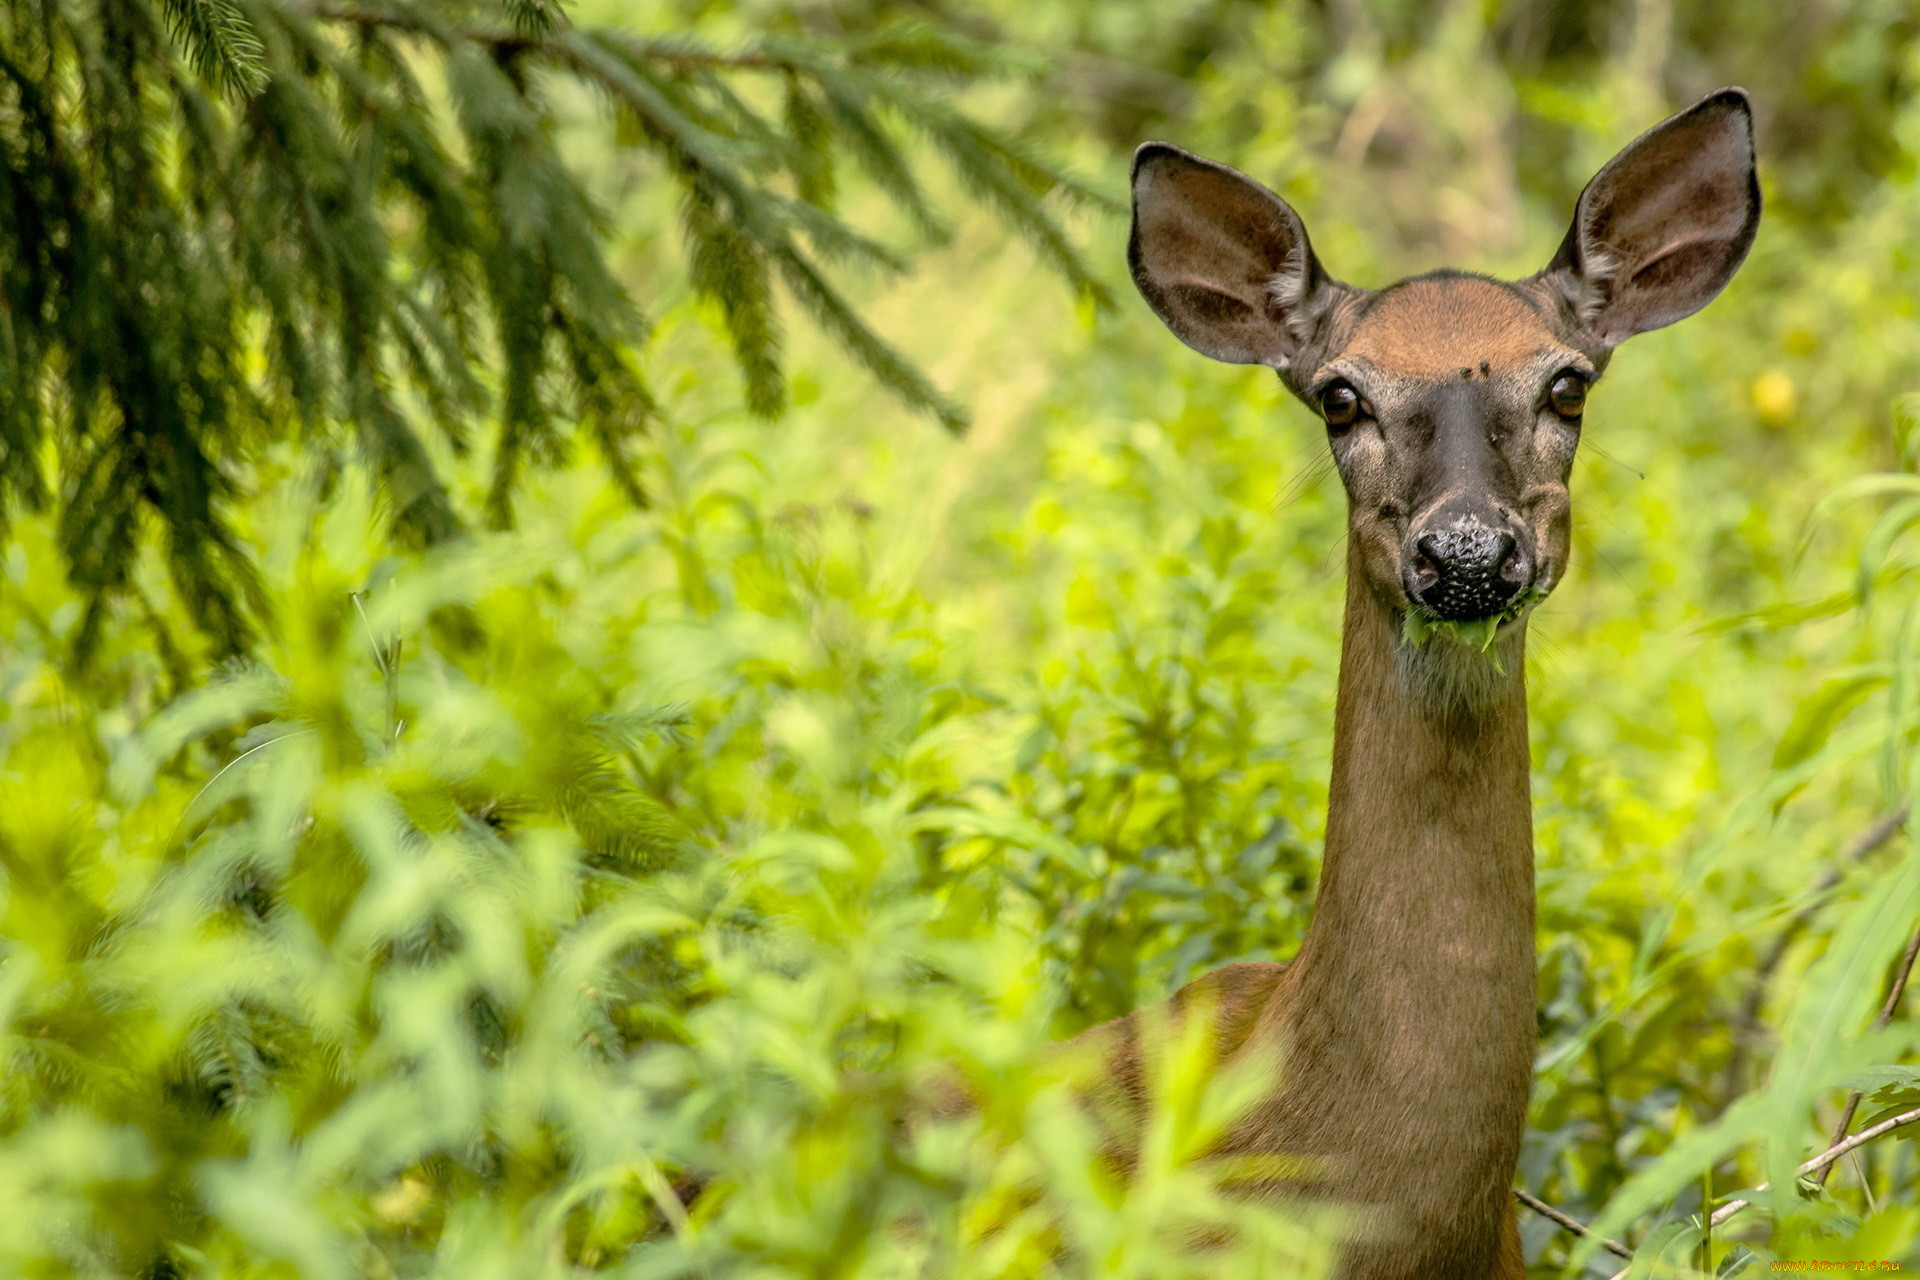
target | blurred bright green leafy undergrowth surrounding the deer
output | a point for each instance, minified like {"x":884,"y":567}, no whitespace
{"x":596,"y":895}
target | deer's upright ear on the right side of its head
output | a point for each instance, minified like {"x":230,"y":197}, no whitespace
{"x":1666,"y":225}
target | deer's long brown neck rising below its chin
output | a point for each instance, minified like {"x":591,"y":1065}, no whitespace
{"x":1412,"y":1014}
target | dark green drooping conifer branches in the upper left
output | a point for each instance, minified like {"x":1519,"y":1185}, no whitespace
{"x":228,"y":224}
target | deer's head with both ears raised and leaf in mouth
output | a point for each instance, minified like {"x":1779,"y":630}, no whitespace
{"x":1452,"y":400}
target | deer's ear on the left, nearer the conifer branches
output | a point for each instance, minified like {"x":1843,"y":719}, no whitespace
{"x":1220,"y":258}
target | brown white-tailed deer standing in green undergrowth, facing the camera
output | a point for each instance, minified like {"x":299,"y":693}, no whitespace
{"x":1404,"y":1031}
